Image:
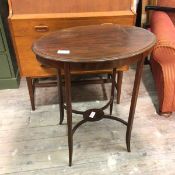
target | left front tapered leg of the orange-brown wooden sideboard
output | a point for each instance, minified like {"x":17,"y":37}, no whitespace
{"x":31,"y":90}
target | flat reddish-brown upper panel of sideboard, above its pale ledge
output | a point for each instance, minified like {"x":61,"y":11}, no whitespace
{"x":67,"y":6}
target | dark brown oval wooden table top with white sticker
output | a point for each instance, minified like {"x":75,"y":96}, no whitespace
{"x":94,"y":43}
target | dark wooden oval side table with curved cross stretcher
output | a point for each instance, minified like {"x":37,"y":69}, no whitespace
{"x":94,"y":47}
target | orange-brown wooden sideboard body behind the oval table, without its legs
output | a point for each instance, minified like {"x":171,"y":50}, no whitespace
{"x":31,"y":19}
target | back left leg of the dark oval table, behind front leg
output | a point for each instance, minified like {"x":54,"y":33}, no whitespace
{"x":60,"y":96}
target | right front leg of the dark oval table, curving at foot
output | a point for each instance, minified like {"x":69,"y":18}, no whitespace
{"x":138,"y":76}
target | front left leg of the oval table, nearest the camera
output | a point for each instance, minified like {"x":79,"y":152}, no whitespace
{"x":69,"y":109}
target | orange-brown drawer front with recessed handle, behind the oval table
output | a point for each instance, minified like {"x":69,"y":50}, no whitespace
{"x":41,"y":26}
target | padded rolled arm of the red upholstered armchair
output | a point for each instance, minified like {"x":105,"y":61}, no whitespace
{"x":163,"y":28}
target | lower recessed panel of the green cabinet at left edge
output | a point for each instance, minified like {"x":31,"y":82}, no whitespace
{"x":4,"y":67}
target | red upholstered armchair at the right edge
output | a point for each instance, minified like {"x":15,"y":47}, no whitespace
{"x":163,"y":57}
